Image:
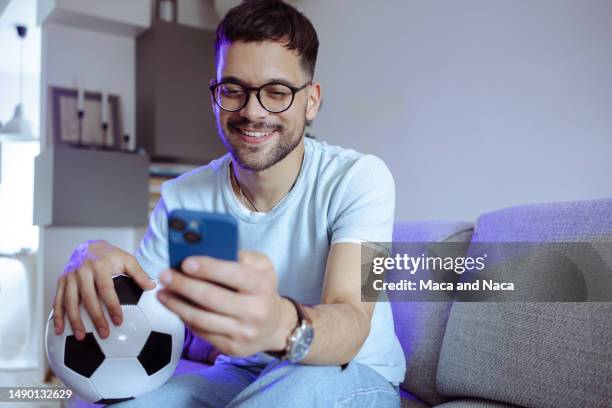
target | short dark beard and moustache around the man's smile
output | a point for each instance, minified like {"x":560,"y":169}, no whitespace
{"x":258,"y":158}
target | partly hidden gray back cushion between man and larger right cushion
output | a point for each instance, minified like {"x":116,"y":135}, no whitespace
{"x":420,"y":325}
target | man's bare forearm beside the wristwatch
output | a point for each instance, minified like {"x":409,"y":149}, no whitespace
{"x":340,"y":331}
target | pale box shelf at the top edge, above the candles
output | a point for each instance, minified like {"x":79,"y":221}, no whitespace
{"x":119,"y":17}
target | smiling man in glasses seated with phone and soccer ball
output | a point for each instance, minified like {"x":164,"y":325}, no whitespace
{"x":303,"y":208}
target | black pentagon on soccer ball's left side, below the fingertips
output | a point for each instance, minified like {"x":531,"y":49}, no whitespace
{"x":83,"y":357}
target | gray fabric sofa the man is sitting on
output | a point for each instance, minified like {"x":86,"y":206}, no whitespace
{"x":461,"y":355}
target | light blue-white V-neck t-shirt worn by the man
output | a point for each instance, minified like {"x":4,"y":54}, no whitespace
{"x":339,"y":196}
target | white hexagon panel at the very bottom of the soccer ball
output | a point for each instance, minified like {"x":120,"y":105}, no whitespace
{"x":119,"y":378}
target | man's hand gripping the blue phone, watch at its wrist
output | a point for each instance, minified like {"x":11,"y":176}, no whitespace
{"x":233,"y":305}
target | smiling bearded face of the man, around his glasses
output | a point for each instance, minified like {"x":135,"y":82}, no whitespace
{"x":255,"y":64}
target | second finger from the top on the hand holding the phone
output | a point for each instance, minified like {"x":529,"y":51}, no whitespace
{"x":205,"y":294}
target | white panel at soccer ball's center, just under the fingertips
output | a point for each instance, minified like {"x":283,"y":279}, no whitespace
{"x":127,"y":339}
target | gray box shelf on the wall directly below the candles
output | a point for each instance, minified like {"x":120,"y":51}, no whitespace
{"x":86,"y":187}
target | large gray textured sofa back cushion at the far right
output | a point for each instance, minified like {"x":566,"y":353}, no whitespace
{"x":534,"y":354}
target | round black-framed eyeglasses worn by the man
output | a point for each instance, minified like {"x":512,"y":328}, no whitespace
{"x":274,"y":97}
